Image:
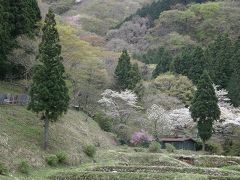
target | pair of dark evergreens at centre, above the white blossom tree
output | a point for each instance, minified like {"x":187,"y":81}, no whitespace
{"x":127,"y":76}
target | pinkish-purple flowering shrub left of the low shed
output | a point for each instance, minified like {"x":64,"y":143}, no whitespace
{"x":141,"y":138}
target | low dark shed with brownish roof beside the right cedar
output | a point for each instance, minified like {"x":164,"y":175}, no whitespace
{"x":180,"y":143}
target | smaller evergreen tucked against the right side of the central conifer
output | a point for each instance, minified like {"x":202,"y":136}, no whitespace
{"x":135,"y":76}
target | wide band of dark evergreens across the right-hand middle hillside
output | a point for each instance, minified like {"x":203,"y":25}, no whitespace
{"x":221,"y":59}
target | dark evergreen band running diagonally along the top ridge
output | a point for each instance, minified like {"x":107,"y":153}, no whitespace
{"x":154,"y":9}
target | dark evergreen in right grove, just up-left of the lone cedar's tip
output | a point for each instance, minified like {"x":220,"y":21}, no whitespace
{"x":198,"y":64}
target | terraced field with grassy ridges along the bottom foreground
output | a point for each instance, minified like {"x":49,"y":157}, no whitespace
{"x":117,"y":165}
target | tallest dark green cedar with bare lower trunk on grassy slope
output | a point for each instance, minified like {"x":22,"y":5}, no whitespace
{"x":49,"y":94}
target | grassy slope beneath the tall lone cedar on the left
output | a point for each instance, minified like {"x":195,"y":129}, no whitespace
{"x":21,"y":134}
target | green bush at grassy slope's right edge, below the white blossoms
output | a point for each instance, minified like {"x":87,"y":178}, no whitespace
{"x":104,"y":122}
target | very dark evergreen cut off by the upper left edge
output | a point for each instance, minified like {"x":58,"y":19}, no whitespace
{"x":5,"y":38}
